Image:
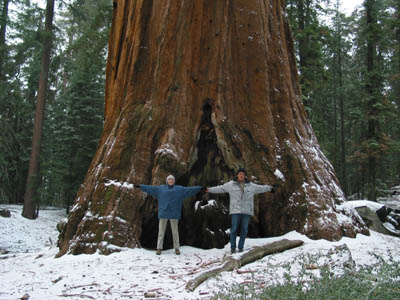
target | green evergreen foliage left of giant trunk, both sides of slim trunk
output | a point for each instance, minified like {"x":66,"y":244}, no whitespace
{"x":74,"y":102}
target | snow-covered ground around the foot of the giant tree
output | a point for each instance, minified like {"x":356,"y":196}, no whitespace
{"x":31,"y":268}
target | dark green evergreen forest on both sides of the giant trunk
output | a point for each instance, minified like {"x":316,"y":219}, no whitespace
{"x":349,"y":68}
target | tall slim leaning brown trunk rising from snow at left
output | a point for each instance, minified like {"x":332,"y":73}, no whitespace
{"x":31,"y":197}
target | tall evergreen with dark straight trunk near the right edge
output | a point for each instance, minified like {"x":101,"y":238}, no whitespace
{"x":372,"y":52}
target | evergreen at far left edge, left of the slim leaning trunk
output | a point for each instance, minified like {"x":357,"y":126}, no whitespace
{"x":18,"y":87}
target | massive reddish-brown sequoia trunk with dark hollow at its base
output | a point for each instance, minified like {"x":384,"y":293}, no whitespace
{"x":198,"y":89}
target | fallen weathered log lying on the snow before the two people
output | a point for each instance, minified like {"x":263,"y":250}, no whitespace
{"x":232,"y":263}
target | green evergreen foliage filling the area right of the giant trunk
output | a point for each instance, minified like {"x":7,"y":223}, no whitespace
{"x":343,"y":96}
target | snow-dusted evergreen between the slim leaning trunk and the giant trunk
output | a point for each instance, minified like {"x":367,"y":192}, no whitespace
{"x":77,"y":112}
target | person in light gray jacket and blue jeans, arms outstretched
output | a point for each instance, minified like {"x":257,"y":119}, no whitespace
{"x":241,"y":207}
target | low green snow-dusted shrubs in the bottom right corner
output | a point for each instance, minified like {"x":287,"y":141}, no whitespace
{"x":378,"y":282}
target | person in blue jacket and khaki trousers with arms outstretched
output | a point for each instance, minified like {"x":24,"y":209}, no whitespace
{"x":170,"y":198}
